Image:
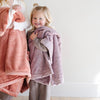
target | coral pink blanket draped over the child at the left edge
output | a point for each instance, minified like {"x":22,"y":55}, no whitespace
{"x":14,"y":65}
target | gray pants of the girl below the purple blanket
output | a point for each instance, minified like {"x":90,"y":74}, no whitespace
{"x":38,"y":91}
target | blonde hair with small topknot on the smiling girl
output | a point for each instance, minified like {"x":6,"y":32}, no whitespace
{"x":46,"y":12}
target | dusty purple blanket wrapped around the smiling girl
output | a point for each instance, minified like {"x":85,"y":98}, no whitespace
{"x":46,"y":67}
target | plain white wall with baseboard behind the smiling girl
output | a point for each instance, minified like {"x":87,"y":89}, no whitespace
{"x":78,"y":22}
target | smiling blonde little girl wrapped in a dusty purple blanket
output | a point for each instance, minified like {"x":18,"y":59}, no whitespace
{"x":45,"y":55}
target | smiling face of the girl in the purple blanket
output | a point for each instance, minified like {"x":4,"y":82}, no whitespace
{"x":38,"y":19}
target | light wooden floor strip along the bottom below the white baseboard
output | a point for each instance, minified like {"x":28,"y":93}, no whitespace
{"x":58,"y":98}
